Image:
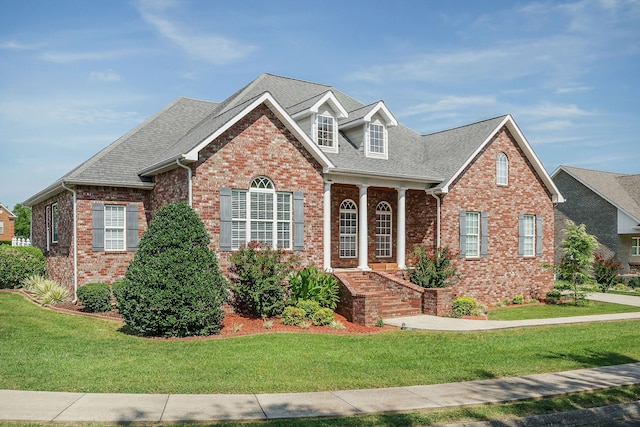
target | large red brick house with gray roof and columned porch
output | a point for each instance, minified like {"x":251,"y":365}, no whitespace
{"x":305,"y":167}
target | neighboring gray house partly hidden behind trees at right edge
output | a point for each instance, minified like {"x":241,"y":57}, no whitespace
{"x":608,"y":204}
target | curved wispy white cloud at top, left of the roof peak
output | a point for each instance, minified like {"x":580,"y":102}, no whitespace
{"x":212,"y":48}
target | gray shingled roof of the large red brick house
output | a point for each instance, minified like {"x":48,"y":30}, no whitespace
{"x":185,"y":123}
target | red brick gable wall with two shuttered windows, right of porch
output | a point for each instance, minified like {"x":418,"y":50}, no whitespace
{"x":501,"y":275}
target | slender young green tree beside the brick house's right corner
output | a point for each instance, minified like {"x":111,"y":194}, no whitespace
{"x":577,"y":262}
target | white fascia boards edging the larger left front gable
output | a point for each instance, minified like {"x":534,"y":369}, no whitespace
{"x":277,"y":109}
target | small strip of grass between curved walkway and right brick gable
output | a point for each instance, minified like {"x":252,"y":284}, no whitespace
{"x":543,"y":311}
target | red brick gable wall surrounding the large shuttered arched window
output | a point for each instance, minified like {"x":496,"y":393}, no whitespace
{"x":259,"y":145}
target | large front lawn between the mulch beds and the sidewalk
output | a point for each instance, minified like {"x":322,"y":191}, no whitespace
{"x":45,"y":350}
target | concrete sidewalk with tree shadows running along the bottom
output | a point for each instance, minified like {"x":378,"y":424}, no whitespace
{"x":38,"y":406}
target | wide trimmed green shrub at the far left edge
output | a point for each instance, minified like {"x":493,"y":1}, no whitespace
{"x":19,"y":262}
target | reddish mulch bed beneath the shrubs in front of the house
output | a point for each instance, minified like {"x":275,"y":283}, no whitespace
{"x":235,"y":325}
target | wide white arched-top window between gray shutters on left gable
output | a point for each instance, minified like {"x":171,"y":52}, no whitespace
{"x":262,"y":214}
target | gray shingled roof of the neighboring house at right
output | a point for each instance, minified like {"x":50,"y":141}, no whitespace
{"x":623,"y":190}
